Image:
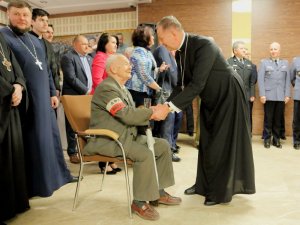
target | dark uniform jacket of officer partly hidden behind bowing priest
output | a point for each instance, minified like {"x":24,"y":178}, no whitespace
{"x":247,"y":72}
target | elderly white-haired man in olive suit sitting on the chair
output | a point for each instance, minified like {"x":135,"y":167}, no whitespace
{"x":114,"y":109}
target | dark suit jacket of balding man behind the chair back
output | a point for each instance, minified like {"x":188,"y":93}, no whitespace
{"x":75,"y":78}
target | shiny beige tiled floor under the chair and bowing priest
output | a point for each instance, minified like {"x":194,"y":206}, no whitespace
{"x":277,"y":201}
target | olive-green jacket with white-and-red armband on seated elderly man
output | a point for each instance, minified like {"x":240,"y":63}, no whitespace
{"x":114,"y":109}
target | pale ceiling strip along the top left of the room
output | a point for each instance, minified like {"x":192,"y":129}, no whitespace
{"x":69,"y":6}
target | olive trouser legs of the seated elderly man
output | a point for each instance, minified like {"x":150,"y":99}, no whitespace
{"x":145,"y":187}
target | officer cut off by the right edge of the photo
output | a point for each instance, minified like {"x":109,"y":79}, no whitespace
{"x":295,"y":79}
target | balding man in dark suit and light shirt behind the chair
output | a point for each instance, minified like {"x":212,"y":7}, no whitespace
{"x":76,"y":68}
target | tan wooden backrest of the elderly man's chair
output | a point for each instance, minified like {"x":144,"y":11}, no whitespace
{"x":78,"y":111}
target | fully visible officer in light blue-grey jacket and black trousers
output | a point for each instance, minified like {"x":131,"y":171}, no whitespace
{"x":274,"y":92}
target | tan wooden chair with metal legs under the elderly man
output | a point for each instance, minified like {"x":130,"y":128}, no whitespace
{"x":78,"y":112}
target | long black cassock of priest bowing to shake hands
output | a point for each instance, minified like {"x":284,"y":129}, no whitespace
{"x":225,"y":160}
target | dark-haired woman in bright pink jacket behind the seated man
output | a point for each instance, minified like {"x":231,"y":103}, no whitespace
{"x":106,"y":46}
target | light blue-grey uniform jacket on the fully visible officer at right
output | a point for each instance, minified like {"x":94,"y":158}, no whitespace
{"x":274,"y":80}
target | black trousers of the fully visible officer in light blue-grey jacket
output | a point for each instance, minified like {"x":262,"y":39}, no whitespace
{"x":274,"y":110}
